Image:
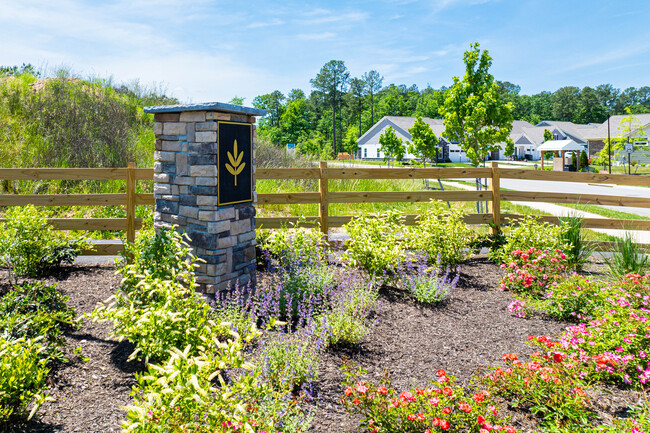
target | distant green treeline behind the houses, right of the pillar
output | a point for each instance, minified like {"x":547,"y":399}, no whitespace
{"x":357,"y":103}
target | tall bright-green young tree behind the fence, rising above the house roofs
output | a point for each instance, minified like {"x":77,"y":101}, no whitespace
{"x":474,"y":114}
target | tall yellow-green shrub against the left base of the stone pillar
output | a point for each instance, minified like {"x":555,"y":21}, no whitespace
{"x":157,"y":308}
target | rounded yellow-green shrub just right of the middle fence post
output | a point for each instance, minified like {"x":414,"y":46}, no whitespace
{"x":375,"y":243}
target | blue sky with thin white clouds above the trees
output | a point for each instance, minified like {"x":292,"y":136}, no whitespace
{"x":204,"y":50}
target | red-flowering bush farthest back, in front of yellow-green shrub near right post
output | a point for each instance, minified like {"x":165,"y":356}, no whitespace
{"x":532,"y":270}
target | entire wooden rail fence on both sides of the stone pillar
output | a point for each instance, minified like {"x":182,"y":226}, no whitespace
{"x":324,"y":174}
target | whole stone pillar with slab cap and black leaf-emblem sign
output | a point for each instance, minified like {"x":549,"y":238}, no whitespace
{"x":204,"y":184}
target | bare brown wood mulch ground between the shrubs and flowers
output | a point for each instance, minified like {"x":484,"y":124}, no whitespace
{"x":471,"y":330}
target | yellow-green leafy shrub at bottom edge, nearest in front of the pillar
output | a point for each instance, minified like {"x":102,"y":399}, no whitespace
{"x":191,"y":394}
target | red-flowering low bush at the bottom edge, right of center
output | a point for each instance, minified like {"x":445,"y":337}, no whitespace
{"x":443,"y":406}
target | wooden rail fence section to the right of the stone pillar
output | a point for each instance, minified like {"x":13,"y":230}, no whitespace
{"x":494,"y":194}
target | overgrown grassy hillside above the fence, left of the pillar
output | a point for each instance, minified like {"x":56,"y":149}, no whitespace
{"x":68,"y":122}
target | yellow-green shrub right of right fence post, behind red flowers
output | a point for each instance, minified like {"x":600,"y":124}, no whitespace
{"x":530,"y":233}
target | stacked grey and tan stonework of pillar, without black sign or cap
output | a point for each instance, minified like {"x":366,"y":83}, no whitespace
{"x":185,"y":190}
